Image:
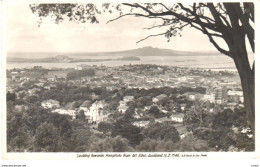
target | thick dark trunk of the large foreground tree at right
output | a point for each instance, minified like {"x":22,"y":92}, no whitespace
{"x":247,"y":78}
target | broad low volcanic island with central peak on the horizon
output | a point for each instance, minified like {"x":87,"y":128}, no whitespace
{"x":149,"y":51}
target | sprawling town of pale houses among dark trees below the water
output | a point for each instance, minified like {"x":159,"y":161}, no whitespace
{"x":133,"y":104}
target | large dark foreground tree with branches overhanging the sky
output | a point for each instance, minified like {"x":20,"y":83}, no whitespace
{"x":231,"y":22}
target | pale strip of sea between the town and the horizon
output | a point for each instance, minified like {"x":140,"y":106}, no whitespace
{"x":217,"y":63}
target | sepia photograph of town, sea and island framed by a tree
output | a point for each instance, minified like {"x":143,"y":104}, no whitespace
{"x":129,"y":77}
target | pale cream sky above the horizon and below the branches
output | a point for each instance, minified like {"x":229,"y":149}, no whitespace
{"x":24,"y":35}
